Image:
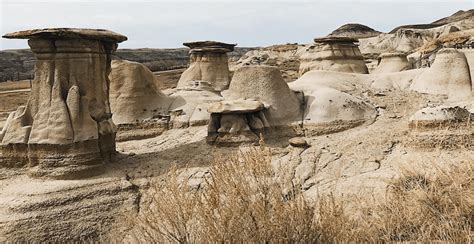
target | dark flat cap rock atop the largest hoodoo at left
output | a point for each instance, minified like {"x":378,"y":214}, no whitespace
{"x":67,"y":33}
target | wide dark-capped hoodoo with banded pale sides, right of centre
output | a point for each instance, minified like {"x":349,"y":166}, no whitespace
{"x":333,"y":54}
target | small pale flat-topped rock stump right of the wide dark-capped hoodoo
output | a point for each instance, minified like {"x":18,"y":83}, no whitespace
{"x":392,"y":62}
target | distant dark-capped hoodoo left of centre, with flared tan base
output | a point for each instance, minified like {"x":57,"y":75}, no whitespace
{"x":209,"y":63}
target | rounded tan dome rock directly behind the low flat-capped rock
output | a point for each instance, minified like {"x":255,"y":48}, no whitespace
{"x":265,"y":84}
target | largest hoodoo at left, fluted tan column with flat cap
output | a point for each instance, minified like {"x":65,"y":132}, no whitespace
{"x":65,"y":130}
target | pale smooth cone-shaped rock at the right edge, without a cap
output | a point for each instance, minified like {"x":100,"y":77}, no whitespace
{"x":449,"y":75}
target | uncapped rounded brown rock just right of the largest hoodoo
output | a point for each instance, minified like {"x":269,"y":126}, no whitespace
{"x":134,"y":96}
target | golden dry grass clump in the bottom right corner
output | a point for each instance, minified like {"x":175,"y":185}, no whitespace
{"x":439,"y":207}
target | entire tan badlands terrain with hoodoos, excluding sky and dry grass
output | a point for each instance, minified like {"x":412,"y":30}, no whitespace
{"x":95,"y":133}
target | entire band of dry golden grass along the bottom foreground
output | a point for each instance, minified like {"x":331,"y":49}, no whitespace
{"x":242,"y":202}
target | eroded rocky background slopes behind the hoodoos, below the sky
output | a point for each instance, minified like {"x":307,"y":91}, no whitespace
{"x":405,"y":39}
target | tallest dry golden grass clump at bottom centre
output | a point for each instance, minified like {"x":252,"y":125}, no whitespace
{"x":240,"y":201}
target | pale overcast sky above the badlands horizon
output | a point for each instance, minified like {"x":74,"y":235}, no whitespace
{"x":167,"y":24}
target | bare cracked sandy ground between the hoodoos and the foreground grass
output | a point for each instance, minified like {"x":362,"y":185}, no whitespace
{"x":358,"y":162}
